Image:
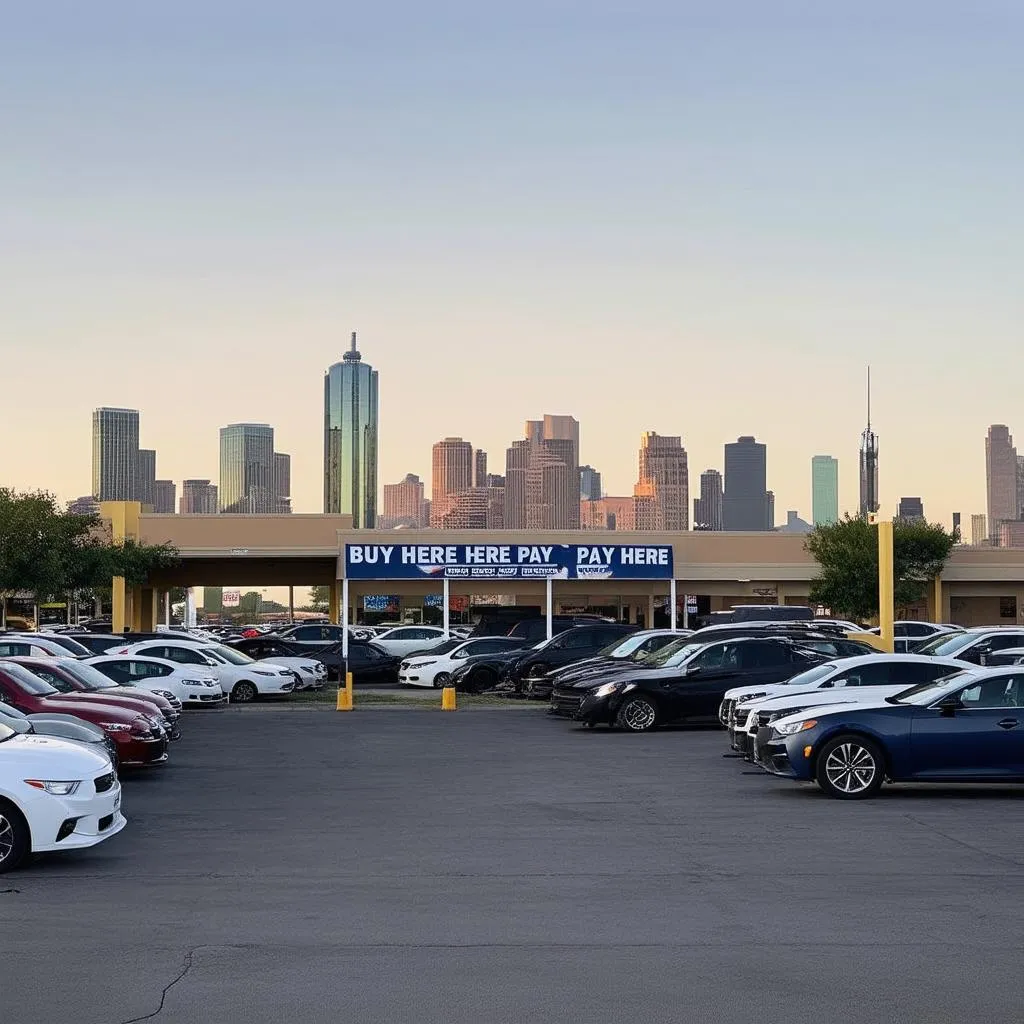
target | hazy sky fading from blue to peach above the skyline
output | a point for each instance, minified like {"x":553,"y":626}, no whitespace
{"x":696,"y":219}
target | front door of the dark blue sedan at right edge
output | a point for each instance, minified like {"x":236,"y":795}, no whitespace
{"x":983,"y":738}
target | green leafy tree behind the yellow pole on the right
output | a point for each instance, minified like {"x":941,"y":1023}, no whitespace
{"x":848,"y":554}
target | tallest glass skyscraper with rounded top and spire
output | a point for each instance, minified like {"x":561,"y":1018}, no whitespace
{"x":351,"y":440}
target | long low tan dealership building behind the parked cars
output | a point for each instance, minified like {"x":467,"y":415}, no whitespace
{"x":595,"y":571}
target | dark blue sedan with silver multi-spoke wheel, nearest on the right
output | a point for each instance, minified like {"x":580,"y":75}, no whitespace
{"x":965,"y":729}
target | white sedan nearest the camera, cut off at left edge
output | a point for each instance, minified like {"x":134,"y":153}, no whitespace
{"x":55,"y":795}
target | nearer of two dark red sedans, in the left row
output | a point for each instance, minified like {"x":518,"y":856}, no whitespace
{"x":141,"y":742}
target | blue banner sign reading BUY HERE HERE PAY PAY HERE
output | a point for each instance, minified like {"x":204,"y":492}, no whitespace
{"x":508,"y":562}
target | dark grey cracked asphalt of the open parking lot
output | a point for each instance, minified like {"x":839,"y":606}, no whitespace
{"x":408,"y":866}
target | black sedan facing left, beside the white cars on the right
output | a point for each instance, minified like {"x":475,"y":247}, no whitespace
{"x":648,"y":698}
